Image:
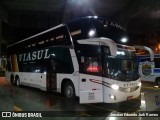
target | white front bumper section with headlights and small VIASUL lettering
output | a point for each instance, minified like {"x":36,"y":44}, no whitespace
{"x":124,"y":92}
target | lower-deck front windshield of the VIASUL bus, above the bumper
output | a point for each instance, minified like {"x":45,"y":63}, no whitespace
{"x":123,"y":67}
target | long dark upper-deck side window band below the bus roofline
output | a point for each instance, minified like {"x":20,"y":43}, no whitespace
{"x":59,"y":36}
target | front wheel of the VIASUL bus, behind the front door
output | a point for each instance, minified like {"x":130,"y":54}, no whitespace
{"x":69,"y":91}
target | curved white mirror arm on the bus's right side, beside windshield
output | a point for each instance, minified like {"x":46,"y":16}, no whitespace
{"x":147,"y":49}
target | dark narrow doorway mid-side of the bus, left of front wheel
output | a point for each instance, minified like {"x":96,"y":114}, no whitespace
{"x":51,"y":76}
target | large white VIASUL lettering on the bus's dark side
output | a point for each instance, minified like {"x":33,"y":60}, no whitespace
{"x":35,"y":55}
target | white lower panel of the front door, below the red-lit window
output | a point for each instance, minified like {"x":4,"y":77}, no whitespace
{"x":91,"y":90}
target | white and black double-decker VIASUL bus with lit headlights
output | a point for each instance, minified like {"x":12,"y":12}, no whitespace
{"x":84,"y":58}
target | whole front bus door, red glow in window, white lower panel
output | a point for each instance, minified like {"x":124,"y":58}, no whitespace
{"x":91,"y":90}
